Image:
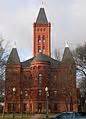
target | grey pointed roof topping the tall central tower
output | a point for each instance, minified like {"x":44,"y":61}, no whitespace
{"x":42,"y":19}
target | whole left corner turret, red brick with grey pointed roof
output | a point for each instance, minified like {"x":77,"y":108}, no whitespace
{"x":12,"y":81}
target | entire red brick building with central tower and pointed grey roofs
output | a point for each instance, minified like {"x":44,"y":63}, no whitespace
{"x":26,"y":81}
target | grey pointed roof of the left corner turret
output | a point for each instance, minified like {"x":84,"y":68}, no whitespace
{"x":13,"y":57}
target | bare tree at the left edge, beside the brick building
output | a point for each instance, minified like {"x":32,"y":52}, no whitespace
{"x":3,"y":58}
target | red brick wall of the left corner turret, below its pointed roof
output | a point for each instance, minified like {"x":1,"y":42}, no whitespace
{"x":12,"y":80}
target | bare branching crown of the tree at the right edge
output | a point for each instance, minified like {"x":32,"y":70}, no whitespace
{"x":80,"y":58}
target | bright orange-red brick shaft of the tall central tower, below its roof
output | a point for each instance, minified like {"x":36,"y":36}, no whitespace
{"x":42,"y":30}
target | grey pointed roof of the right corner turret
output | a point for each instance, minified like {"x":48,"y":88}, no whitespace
{"x":67,"y":56}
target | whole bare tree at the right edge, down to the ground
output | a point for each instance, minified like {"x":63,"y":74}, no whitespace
{"x":80,"y":58}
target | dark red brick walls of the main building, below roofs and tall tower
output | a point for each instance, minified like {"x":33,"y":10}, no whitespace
{"x":61,"y":82}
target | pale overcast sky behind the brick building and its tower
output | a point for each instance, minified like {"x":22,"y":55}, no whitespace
{"x":67,"y":17}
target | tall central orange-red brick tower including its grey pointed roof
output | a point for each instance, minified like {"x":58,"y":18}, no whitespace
{"x":42,"y":35}
